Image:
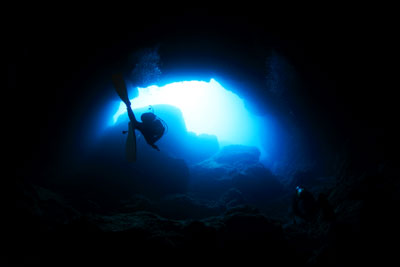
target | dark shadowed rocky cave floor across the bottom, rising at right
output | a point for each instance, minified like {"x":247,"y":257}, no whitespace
{"x":49,"y":229}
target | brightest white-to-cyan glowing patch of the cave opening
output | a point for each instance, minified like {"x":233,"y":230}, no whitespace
{"x":207,"y":108}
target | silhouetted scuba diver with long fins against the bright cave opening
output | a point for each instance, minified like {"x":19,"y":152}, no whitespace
{"x":151,"y":127}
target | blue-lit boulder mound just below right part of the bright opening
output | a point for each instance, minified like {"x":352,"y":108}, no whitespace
{"x":235,"y":167}
